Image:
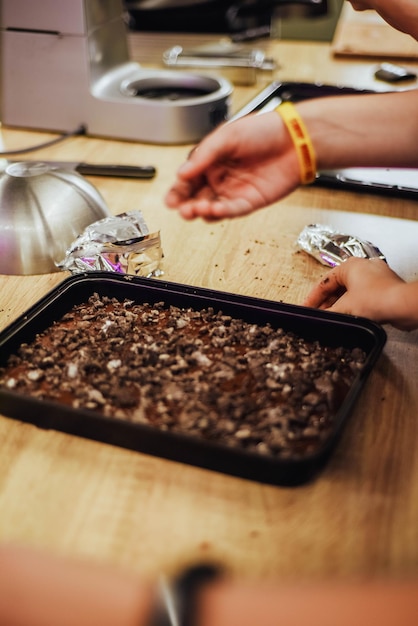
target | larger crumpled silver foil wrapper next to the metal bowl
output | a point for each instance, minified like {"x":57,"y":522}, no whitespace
{"x":120,"y":243}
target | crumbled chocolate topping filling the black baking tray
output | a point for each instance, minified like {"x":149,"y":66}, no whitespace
{"x":202,"y":373}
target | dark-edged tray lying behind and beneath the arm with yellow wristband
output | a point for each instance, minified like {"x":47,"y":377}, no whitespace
{"x":386,"y":181}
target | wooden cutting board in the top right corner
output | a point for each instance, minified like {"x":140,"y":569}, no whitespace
{"x":365,"y":33}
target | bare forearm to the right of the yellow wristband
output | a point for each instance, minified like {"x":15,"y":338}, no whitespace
{"x":369,"y":130}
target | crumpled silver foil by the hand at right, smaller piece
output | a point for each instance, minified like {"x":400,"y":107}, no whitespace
{"x":331,"y":248}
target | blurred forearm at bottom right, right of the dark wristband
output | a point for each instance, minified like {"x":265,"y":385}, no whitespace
{"x":327,"y":604}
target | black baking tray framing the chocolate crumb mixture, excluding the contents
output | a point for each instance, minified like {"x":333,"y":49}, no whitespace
{"x":330,"y":329}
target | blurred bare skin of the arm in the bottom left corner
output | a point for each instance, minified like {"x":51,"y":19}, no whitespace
{"x":40,"y":590}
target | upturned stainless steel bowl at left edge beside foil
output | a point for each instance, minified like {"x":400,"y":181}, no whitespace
{"x":42,"y":211}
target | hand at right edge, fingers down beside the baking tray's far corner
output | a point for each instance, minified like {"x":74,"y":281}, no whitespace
{"x":367,"y":288}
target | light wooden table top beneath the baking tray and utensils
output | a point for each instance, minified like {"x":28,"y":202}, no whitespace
{"x":358,"y":518}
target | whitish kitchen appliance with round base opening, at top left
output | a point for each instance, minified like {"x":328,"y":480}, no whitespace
{"x":65,"y":64}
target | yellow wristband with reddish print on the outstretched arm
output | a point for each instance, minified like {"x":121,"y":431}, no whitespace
{"x":301,"y":140}
